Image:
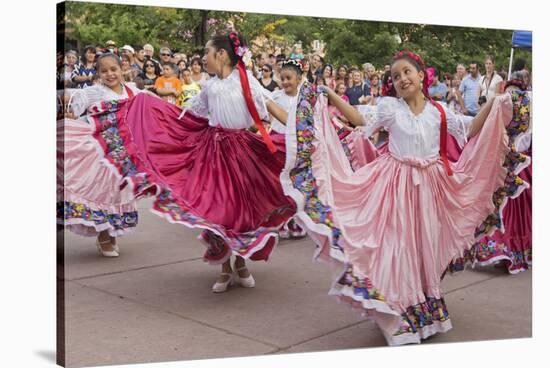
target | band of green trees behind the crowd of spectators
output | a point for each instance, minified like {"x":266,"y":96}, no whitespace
{"x":347,"y":41}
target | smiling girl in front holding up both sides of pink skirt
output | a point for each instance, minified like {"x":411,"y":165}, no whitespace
{"x":397,"y":222}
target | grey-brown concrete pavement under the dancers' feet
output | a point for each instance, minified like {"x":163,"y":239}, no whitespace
{"x":154,"y":303}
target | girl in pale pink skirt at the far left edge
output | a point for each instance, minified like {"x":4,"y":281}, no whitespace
{"x":90,"y":201}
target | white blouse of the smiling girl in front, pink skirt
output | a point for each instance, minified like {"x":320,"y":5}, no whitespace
{"x":413,"y":135}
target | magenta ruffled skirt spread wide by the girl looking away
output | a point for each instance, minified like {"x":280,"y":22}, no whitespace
{"x":221,"y":180}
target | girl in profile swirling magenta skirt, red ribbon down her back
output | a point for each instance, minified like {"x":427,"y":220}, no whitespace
{"x":206,"y":169}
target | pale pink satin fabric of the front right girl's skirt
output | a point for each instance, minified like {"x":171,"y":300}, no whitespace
{"x":405,"y":219}
